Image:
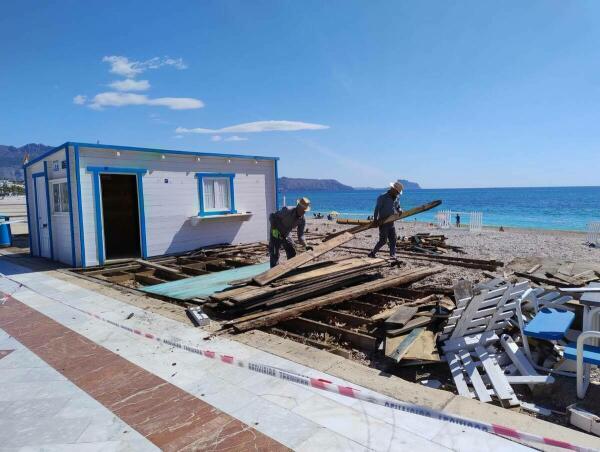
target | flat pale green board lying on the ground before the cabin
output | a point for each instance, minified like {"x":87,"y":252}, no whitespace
{"x":205,"y":285}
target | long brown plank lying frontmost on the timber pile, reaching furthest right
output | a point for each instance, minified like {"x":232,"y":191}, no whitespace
{"x":278,"y":314}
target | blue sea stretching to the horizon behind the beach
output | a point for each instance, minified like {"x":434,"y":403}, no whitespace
{"x":564,"y":208}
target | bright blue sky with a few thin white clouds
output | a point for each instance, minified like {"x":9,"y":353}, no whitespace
{"x":447,"y":94}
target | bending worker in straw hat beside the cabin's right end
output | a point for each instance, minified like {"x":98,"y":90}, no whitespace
{"x":282,"y":223}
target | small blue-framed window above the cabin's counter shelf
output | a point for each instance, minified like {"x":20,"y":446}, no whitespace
{"x":216,"y":194}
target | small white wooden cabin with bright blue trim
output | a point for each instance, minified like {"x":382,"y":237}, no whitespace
{"x":88,"y":204}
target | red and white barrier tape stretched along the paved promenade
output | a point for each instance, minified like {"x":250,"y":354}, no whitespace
{"x":320,"y":383}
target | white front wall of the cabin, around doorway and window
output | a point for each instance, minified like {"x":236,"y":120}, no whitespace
{"x":170,"y":191}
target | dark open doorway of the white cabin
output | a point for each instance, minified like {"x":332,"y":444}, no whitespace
{"x":121,"y":215}
